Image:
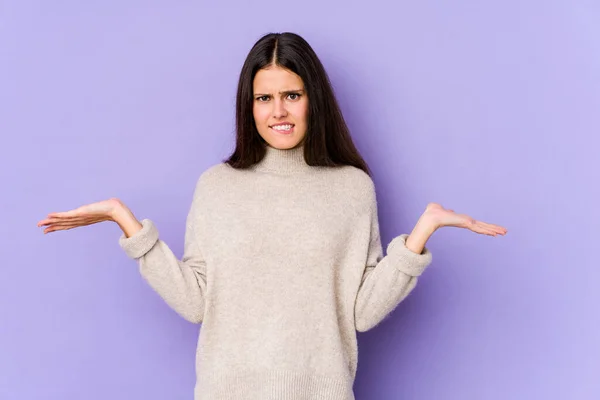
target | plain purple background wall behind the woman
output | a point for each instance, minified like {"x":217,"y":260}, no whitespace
{"x":490,"y":109}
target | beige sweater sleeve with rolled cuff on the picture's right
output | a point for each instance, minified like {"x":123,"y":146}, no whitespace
{"x":386,"y":280}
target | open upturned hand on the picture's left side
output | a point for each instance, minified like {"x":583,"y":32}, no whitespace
{"x":85,"y":215}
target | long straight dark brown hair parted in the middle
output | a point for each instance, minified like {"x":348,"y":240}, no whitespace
{"x":327,"y":141}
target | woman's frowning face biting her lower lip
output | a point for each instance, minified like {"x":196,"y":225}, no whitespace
{"x":280,"y":107}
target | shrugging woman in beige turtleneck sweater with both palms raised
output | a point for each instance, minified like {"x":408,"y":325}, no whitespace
{"x":283,"y":261}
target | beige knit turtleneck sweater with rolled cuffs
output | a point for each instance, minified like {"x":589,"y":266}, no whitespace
{"x":282,"y":265}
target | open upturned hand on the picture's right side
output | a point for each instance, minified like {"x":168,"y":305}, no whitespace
{"x":439,"y":217}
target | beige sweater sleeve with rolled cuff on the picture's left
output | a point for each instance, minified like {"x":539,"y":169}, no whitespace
{"x":181,"y":283}
